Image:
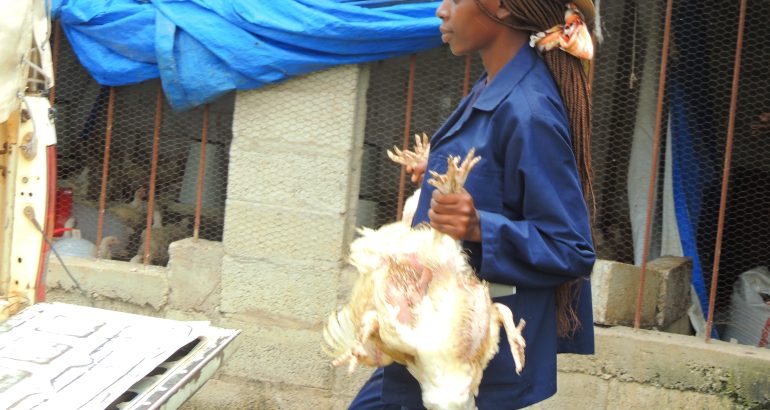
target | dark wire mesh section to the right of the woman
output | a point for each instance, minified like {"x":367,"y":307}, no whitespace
{"x":693,"y":148}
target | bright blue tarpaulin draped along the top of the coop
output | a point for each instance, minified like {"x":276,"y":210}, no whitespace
{"x":203,"y":48}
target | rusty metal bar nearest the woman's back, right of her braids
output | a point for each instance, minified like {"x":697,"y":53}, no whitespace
{"x":654,"y":160}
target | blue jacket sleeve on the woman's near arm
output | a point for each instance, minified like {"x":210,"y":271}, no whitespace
{"x":542,"y":237}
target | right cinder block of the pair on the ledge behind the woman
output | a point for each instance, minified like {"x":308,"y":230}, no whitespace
{"x":674,"y":277}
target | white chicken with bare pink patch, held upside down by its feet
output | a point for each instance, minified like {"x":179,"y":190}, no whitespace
{"x":418,"y":302}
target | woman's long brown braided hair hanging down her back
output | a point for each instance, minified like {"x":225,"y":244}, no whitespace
{"x":570,"y":77}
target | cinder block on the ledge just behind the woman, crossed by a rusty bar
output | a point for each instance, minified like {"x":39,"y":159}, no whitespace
{"x":614,"y":289}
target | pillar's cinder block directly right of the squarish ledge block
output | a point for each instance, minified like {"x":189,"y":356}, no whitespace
{"x":292,"y":293}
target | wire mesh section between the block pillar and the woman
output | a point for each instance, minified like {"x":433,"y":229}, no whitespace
{"x":438,"y":88}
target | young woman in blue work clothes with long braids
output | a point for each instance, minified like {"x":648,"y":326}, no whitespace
{"x":523,"y":217}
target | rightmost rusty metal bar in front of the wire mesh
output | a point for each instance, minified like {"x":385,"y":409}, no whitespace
{"x":726,"y":169}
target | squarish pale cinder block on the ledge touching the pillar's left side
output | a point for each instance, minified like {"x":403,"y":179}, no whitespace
{"x":194,"y":274}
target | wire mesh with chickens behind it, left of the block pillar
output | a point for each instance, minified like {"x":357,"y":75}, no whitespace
{"x":86,"y":160}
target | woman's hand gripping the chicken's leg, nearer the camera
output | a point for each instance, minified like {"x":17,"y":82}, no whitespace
{"x":455,"y":215}
